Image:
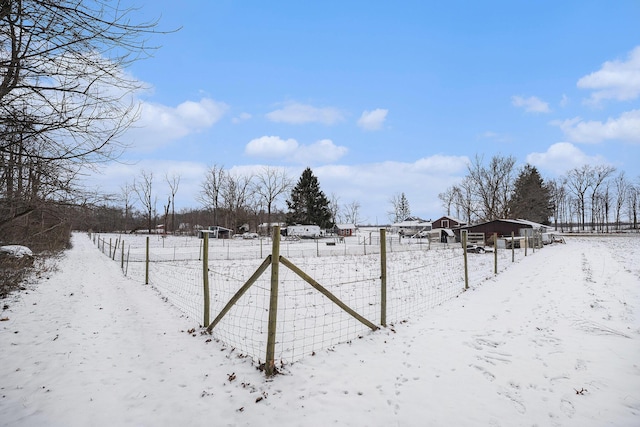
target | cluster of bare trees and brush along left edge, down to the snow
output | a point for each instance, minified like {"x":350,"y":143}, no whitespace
{"x":65,"y":101}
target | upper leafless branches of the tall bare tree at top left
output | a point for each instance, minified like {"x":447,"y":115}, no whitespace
{"x":63,"y":76}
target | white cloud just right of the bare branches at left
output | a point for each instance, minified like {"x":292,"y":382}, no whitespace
{"x":160,"y":124}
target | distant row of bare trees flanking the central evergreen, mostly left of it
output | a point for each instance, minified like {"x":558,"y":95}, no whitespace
{"x":227,"y":198}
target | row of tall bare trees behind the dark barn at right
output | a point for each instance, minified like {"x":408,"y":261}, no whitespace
{"x":589,"y":197}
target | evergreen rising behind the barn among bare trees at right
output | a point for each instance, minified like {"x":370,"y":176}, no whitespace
{"x":531,"y":199}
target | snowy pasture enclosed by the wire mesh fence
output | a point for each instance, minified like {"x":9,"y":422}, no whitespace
{"x":417,"y":279}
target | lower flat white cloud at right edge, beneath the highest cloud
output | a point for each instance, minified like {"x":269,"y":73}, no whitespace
{"x":624,"y":128}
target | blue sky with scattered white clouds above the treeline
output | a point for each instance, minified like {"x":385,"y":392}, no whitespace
{"x":380,"y":98}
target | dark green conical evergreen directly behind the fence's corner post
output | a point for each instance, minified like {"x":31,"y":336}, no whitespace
{"x":307,"y":203}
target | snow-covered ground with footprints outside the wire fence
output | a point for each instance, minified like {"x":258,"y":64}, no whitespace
{"x":553,"y":340}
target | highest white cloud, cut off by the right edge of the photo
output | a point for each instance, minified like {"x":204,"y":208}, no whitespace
{"x":619,"y":80}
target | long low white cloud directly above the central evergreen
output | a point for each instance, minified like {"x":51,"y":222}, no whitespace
{"x":274,"y":147}
